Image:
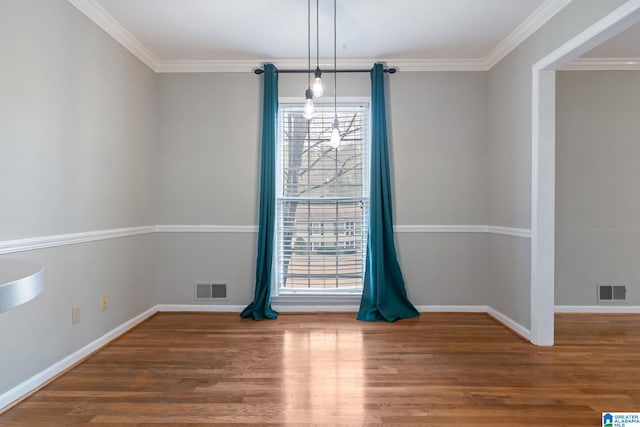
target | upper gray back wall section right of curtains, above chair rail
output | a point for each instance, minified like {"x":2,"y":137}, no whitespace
{"x":438,"y":127}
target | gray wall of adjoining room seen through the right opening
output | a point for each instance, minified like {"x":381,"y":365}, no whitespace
{"x":597,"y":176}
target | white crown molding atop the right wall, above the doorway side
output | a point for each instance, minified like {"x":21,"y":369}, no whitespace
{"x":529,"y":26}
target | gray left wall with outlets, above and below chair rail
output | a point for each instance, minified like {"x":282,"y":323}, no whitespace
{"x":77,"y":139}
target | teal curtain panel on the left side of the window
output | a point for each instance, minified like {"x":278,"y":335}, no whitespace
{"x":260,"y":308}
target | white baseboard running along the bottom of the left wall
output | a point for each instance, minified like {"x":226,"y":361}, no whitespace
{"x":27,"y":387}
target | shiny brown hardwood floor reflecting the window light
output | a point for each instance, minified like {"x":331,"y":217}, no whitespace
{"x":329,"y":369}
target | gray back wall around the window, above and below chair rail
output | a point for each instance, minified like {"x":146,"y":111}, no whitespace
{"x":208,"y":135}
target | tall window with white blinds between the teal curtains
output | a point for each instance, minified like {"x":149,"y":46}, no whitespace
{"x":322,"y":200}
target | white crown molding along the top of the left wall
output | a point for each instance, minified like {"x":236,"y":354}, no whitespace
{"x":104,"y":20}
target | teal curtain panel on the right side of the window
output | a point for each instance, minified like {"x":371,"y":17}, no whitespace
{"x":384,"y":296}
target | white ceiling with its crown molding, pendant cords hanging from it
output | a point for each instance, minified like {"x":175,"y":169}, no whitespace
{"x":181,"y":33}
